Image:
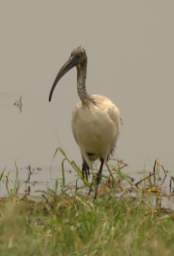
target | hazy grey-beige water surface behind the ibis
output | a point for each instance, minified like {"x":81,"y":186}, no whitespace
{"x":130,"y":47}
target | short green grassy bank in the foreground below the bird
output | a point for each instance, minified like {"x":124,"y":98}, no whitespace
{"x":76,"y":225}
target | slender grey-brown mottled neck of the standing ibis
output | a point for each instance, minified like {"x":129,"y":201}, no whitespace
{"x":81,"y":83}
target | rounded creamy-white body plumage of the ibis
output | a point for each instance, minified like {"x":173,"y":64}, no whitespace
{"x":96,"y":128}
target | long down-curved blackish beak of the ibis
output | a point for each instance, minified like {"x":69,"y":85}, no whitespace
{"x":72,"y":62}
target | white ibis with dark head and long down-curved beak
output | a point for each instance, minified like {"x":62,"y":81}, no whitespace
{"x":95,"y":119}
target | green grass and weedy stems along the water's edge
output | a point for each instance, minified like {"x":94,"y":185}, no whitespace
{"x":127,"y":218}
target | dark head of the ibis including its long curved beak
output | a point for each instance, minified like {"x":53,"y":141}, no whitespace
{"x":78,"y":58}
